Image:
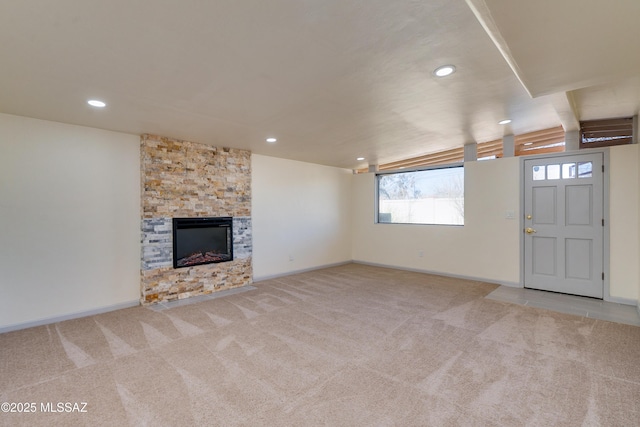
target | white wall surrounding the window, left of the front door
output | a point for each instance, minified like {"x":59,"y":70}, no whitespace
{"x":486,"y":247}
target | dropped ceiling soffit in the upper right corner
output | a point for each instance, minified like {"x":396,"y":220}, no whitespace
{"x":562,"y":46}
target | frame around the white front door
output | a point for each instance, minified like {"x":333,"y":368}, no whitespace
{"x":605,"y":211}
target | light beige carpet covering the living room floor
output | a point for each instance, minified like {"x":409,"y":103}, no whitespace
{"x":353,"y":345}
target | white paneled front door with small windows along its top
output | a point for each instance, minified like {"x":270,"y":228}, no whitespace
{"x":564,"y":224}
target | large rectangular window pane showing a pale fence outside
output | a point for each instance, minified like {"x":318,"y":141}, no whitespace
{"x":434,"y":196}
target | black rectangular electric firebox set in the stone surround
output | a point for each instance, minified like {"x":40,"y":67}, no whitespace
{"x":199,"y":241}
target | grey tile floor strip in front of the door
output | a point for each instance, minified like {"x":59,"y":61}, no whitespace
{"x":569,"y":304}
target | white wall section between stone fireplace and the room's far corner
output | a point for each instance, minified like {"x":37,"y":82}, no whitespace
{"x":300,"y":216}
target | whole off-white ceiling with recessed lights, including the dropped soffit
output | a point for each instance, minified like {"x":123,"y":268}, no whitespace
{"x":331,"y":79}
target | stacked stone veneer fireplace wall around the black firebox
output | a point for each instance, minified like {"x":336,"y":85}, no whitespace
{"x":186,"y":179}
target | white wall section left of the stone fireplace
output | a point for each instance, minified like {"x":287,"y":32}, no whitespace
{"x":70,"y":220}
